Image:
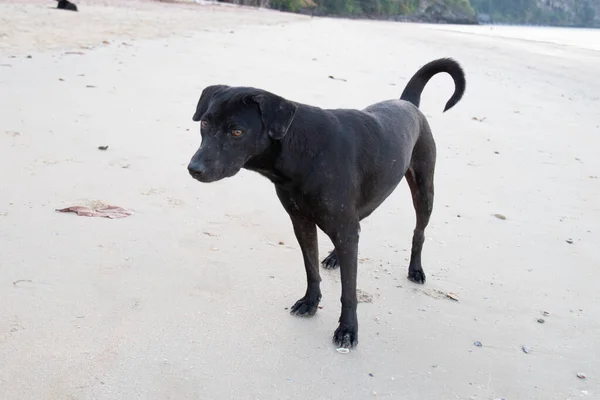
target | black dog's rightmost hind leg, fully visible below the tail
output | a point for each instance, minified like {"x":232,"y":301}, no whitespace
{"x":420,"y":180}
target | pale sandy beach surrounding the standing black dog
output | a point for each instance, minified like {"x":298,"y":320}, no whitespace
{"x":187,"y":298}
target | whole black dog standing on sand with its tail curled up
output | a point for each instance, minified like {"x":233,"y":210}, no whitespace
{"x":331,"y":168}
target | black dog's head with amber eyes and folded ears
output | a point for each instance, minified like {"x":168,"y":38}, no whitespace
{"x":236,"y":125}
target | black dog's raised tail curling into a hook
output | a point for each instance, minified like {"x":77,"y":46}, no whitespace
{"x":414,"y":88}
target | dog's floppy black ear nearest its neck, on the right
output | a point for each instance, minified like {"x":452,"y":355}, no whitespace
{"x":276,"y":112}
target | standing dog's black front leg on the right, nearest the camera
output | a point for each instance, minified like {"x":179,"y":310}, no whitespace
{"x":346,"y":247}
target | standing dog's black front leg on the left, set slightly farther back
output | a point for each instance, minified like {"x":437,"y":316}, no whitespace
{"x":306,"y":233}
